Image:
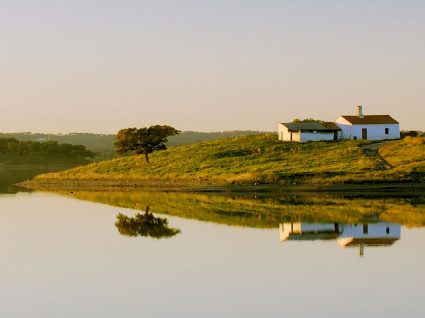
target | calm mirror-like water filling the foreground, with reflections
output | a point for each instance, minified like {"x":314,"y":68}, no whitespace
{"x":64,"y":256}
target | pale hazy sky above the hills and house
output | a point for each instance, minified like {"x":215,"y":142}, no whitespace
{"x":207,"y":65}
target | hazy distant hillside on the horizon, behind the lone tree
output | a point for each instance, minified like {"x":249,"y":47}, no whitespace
{"x":103,"y":145}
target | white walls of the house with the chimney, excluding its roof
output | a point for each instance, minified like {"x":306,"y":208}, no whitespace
{"x":374,"y":132}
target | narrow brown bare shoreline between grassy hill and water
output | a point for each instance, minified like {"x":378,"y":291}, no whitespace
{"x":399,"y":189}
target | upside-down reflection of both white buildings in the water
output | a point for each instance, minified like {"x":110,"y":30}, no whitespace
{"x":346,"y":235}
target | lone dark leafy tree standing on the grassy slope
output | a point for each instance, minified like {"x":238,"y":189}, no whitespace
{"x":144,"y":140}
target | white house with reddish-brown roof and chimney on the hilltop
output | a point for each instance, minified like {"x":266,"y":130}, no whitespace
{"x":368,"y":127}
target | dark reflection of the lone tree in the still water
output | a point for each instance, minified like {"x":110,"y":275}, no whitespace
{"x":145,"y":225}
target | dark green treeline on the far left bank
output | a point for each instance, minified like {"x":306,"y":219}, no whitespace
{"x":11,"y":146}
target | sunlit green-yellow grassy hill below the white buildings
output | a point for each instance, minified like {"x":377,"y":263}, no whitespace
{"x":260,"y":159}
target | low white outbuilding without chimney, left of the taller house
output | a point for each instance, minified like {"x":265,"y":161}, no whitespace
{"x":308,"y":131}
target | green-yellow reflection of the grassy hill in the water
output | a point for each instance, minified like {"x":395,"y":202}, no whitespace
{"x":268,"y":212}
